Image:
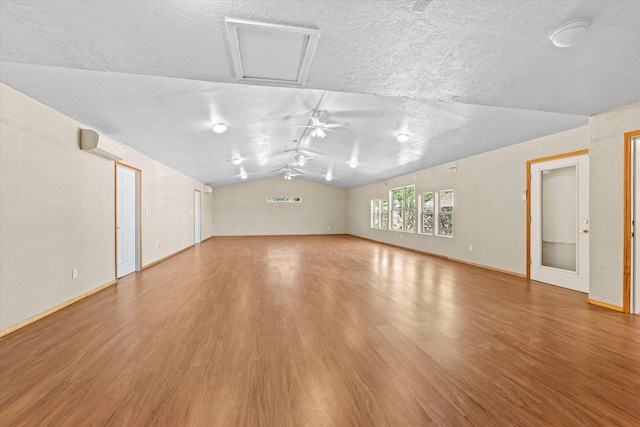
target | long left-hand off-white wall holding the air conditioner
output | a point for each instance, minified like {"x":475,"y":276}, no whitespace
{"x":57,"y":210}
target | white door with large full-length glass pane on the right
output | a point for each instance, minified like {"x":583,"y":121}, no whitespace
{"x":560,"y":222}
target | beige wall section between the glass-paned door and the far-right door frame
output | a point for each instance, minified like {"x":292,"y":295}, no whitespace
{"x":606,"y":199}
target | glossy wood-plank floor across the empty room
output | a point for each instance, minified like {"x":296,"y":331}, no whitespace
{"x":323,"y":331}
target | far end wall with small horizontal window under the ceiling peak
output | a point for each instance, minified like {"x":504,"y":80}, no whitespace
{"x":242,"y":209}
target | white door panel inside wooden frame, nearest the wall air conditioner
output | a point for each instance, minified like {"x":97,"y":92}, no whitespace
{"x":126,"y":220}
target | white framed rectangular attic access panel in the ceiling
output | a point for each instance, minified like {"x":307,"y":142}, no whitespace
{"x":271,"y":54}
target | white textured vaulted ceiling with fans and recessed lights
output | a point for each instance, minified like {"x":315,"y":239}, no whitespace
{"x":462,"y":78}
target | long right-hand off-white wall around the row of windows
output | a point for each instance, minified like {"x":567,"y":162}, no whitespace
{"x":489,"y":211}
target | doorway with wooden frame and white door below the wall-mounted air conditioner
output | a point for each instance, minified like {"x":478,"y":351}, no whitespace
{"x":127,"y":220}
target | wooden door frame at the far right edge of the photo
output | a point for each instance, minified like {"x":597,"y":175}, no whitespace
{"x":628,"y":217}
